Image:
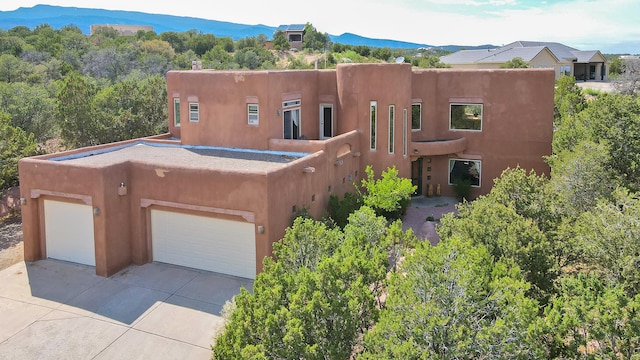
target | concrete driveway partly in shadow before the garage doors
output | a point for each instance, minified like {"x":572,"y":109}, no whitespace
{"x":56,"y":310}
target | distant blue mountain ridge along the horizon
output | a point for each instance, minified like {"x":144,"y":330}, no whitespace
{"x":59,"y":16}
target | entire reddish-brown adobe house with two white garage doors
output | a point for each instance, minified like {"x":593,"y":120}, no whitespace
{"x":247,"y":149}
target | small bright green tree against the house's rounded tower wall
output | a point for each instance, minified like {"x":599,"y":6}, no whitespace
{"x":390,"y":195}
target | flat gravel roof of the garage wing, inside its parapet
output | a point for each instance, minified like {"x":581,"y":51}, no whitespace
{"x":203,"y":157}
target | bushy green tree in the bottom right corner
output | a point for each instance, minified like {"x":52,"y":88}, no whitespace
{"x":591,"y":320}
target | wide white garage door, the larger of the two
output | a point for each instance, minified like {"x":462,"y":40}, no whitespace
{"x":206,"y":243}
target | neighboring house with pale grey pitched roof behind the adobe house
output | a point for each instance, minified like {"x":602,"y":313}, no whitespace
{"x":565,"y":60}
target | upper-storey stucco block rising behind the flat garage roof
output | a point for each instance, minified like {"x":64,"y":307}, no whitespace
{"x":244,"y":109}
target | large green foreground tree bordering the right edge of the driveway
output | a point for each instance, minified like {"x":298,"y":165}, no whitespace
{"x":315,"y":300}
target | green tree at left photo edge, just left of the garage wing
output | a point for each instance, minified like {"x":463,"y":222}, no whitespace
{"x":14,"y":145}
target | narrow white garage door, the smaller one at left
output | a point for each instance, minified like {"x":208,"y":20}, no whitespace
{"x":69,"y":232}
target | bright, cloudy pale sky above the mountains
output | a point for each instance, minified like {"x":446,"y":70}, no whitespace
{"x":611,"y":26}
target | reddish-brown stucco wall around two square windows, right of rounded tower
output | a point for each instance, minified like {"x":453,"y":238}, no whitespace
{"x":517,"y":124}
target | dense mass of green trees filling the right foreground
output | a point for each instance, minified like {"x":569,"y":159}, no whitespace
{"x":542,"y":267}
